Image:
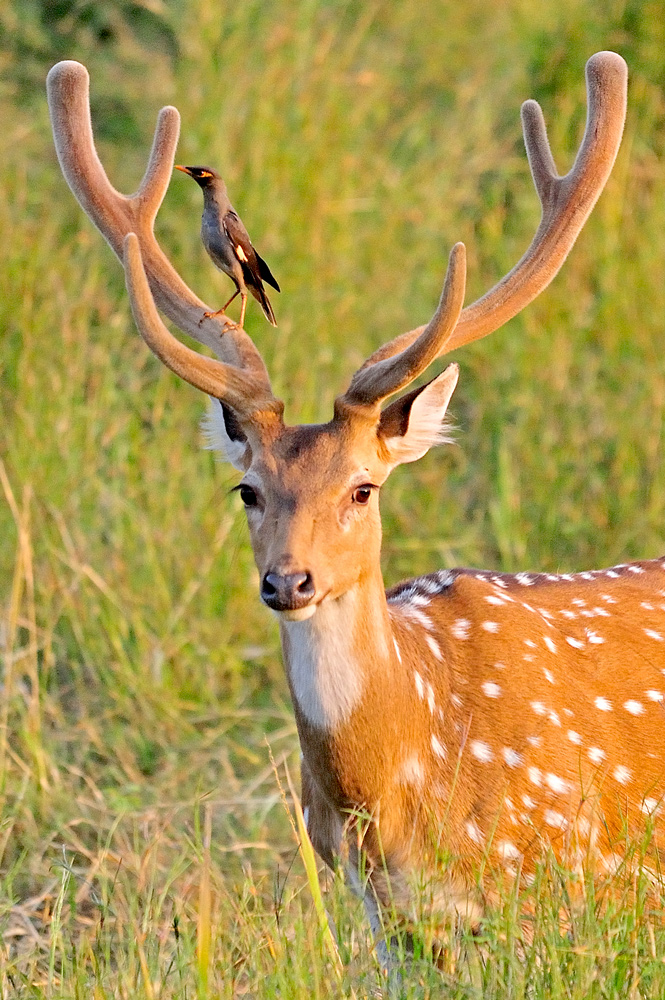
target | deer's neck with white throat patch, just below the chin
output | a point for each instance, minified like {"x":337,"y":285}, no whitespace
{"x":334,"y":658}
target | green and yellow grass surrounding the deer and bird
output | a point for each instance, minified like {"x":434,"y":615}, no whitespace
{"x":141,"y":676}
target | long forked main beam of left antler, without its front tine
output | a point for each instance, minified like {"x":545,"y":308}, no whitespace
{"x":116,"y":215}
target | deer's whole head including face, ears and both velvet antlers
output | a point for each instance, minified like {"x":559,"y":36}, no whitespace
{"x":311,"y":492}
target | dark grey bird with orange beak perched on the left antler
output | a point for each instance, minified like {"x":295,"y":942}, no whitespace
{"x":229,"y":246}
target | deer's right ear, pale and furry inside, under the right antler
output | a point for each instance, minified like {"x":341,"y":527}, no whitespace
{"x":412,"y":424}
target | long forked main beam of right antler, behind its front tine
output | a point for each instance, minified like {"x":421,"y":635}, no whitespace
{"x":566,"y":204}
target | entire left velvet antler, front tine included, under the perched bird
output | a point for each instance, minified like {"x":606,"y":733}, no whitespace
{"x":116,"y":215}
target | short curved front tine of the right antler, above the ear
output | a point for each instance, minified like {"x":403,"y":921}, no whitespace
{"x":370,"y":385}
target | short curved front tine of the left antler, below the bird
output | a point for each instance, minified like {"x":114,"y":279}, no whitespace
{"x":241,"y":389}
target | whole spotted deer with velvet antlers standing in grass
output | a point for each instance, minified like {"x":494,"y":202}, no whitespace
{"x":485,"y":713}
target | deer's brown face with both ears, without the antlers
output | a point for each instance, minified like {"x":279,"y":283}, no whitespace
{"x":311,"y":493}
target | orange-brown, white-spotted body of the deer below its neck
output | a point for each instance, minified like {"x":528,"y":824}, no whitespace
{"x":524,"y":709}
